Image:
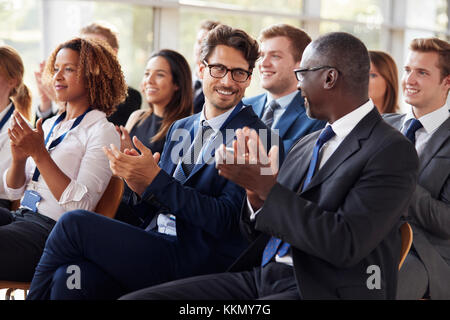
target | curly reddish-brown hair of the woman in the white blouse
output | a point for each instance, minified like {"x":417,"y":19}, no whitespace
{"x":101,"y":70}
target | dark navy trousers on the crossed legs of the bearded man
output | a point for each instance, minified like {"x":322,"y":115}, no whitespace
{"x":114,"y":258}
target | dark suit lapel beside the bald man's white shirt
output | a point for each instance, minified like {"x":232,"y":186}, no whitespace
{"x":347,"y":148}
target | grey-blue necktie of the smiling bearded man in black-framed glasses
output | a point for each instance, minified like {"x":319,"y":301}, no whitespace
{"x":189,"y":160}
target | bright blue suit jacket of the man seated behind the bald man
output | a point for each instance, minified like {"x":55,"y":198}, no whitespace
{"x":293,"y":124}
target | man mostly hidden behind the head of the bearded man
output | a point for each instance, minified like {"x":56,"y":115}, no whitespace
{"x":199,"y":97}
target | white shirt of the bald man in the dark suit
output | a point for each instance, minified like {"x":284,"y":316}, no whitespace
{"x":341,"y":127}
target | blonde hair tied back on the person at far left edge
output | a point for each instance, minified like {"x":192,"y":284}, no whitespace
{"x":11,"y":67}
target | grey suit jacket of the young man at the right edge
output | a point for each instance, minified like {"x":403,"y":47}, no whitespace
{"x":430,"y":208}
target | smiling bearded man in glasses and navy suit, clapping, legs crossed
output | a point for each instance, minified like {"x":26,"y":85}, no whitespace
{"x":193,"y":212}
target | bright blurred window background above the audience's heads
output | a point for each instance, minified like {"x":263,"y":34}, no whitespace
{"x":35,"y":27}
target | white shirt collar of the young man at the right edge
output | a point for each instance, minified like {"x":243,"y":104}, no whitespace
{"x":431,"y":122}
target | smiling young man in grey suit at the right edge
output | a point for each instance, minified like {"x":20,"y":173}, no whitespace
{"x":425,"y":83}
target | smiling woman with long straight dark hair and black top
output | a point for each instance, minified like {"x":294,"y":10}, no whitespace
{"x":167,"y":87}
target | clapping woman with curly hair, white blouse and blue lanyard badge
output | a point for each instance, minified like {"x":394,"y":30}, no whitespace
{"x":60,"y":165}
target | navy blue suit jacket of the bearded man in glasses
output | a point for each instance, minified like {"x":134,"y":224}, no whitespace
{"x":206,"y":206}
